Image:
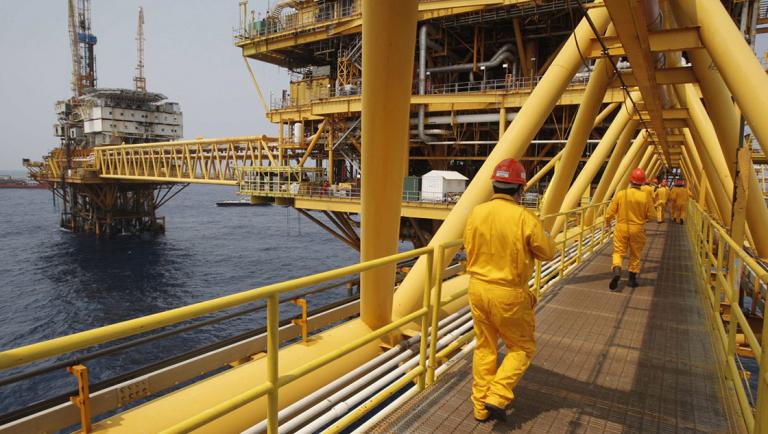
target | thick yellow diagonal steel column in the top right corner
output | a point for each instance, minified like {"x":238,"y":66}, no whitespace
{"x":735,"y":61}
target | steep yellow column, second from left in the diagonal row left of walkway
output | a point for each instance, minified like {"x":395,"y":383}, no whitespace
{"x":577,"y":139}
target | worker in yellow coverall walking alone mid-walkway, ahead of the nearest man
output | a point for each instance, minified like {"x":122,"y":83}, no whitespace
{"x":631,"y":208}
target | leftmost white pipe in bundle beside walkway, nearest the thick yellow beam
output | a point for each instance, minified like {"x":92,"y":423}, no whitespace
{"x":294,"y":409}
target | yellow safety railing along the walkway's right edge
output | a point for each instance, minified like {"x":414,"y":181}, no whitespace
{"x":723,"y":266}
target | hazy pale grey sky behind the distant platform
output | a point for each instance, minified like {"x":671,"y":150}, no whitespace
{"x":189,"y":56}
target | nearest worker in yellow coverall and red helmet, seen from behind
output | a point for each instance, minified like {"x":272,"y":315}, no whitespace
{"x":502,"y":240}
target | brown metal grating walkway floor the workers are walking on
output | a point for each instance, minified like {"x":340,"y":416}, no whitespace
{"x":638,"y":361}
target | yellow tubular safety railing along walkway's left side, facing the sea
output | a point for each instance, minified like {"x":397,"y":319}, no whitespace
{"x":579,"y":238}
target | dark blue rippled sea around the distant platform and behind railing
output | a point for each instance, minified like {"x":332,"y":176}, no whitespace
{"x":53,"y":283}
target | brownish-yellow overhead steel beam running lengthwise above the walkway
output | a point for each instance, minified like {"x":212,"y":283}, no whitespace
{"x":629,"y":18}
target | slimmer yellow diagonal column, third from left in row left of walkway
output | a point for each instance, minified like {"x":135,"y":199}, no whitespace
{"x":622,"y":121}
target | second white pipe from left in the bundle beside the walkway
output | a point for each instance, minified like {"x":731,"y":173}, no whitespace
{"x":344,"y":407}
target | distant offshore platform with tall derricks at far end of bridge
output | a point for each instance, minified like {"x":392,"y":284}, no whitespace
{"x":95,"y":117}
